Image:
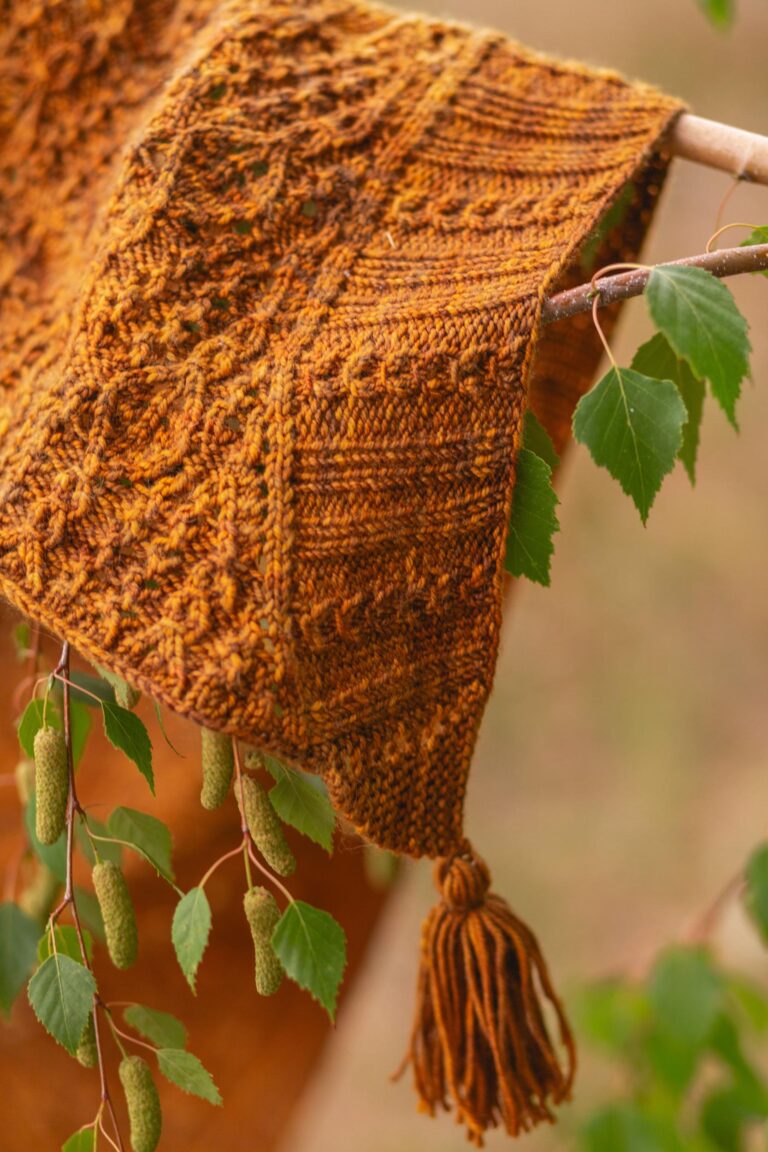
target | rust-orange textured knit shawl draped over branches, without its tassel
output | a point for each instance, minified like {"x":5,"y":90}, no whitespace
{"x":270,"y":300}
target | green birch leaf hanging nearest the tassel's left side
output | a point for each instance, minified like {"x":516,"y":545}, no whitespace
{"x":313,"y":949}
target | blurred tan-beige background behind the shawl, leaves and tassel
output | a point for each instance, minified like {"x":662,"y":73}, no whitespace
{"x":622,"y":771}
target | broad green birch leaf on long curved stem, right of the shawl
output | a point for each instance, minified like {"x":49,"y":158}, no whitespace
{"x":634,"y":427}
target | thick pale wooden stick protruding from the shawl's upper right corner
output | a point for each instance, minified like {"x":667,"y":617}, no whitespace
{"x":743,"y":155}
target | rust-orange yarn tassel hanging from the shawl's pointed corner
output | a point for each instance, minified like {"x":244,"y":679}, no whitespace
{"x":480,"y":1037}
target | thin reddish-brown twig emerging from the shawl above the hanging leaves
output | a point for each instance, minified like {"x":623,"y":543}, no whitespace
{"x":728,"y":262}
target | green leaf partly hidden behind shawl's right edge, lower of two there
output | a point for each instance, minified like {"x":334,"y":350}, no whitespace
{"x":534,"y":520}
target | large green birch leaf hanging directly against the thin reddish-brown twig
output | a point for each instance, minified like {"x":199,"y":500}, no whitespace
{"x":701,"y":320}
